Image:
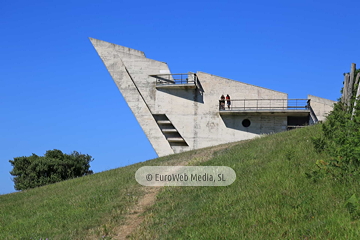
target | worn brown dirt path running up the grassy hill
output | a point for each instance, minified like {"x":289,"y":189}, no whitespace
{"x":135,"y":218}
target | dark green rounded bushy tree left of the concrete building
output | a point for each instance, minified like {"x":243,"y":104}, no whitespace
{"x":54,"y":166}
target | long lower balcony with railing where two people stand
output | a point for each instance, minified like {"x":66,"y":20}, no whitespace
{"x":284,"y":107}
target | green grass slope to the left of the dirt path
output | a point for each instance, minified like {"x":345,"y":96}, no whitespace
{"x":81,"y":208}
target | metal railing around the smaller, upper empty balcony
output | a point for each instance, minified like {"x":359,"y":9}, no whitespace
{"x":178,"y":78}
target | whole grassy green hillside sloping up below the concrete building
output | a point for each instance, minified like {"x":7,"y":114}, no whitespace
{"x":270,"y":199}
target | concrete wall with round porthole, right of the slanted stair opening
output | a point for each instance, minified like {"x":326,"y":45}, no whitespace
{"x":195,"y":113}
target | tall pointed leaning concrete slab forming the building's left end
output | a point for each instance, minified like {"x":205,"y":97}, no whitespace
{"x":129,"y":69}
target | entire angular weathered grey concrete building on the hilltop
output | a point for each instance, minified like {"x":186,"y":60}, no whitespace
{"x":193,"y":113}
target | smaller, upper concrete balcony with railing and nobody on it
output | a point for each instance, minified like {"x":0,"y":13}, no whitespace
{"x":176,"y":81}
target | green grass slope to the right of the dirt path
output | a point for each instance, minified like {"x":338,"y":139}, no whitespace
{"x":270,"y":199}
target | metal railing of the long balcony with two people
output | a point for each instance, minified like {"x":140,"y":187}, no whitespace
{"x":264,"y":104}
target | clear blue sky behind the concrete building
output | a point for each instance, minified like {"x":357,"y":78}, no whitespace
{"x":55,"y":92}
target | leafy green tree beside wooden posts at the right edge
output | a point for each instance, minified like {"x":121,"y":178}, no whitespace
{"x":341,"y":133}
